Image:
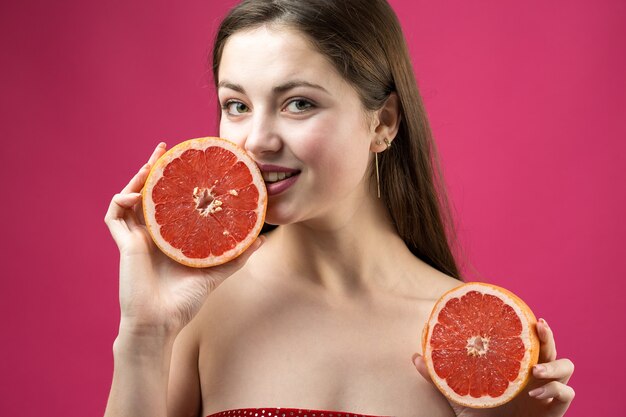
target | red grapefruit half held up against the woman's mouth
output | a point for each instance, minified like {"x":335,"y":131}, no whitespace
{"x":204,"y":202}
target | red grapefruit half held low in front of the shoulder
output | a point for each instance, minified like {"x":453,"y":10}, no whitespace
{"x":480,"y":344}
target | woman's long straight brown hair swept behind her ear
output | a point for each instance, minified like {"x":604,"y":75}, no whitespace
{"x":364,"y":41}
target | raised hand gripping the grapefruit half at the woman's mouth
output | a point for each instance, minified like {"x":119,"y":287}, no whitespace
{"x":157,"y":295}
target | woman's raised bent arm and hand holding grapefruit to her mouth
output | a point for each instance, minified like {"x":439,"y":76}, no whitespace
{"x":158,"y":298}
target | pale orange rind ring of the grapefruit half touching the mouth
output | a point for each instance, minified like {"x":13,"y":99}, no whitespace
{"x":149,"y":208}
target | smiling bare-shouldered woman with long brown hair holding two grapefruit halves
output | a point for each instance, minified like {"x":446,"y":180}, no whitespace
{"x":324,"y":312}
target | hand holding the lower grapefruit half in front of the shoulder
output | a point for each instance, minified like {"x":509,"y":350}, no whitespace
{"x":547,"y":393}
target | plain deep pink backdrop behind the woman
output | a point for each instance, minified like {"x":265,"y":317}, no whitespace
{"x":527,"y":102}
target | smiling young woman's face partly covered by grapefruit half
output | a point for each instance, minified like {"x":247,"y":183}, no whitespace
{"x":299,"y":119}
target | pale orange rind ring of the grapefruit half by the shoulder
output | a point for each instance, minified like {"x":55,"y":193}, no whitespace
{"x":528,"y":336}
